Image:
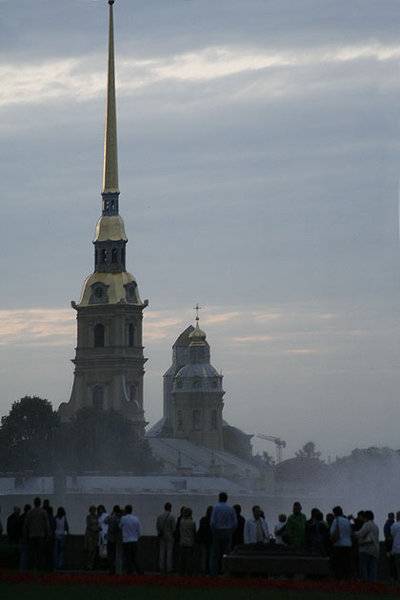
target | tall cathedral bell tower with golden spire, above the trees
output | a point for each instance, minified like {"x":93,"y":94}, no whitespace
{"x":109,"y":361}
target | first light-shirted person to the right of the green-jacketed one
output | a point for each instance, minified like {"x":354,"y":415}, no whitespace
{"x":340,"y":533}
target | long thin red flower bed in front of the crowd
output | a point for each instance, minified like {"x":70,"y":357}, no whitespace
{"x":328,"y":586}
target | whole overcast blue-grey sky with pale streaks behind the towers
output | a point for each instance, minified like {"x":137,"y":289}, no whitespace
{"x":259,"y":153}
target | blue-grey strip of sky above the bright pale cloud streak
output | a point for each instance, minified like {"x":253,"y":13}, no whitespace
{"x":78,"y":26}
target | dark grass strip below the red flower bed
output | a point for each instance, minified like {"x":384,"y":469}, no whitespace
{"x":33,"y":591}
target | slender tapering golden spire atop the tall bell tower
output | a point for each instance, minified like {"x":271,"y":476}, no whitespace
{"x":110,"y":172}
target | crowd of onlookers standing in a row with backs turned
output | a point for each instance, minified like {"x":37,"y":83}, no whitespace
{"x":351,"y":543}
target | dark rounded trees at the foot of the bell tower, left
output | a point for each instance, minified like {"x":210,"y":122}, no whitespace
{"x":34,"y":440}
